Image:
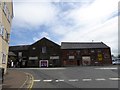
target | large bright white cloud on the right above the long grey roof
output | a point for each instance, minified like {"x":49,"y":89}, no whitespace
{"x":92,"y":24}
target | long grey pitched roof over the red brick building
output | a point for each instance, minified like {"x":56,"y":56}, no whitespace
{"x":82,"y":45}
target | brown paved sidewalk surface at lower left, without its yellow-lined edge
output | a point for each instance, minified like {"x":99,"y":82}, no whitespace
{"x":14,"y":79}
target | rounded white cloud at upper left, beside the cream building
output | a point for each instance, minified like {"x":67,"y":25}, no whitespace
{"x":33,"y":14}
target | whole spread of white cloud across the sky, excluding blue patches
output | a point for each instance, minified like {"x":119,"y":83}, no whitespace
{"x":82,"y":23}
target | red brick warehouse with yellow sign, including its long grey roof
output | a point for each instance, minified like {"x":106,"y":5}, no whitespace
{"x":92,"y":53}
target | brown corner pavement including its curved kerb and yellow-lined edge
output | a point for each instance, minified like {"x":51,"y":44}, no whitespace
{"x":17,"y":79}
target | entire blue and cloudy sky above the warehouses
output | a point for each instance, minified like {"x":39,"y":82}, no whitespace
{"x":65,"y":21}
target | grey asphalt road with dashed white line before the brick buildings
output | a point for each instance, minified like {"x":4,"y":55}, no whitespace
{"x":75,"y":77}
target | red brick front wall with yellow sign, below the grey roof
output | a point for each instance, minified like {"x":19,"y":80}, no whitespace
{"x":86,"y":57}
